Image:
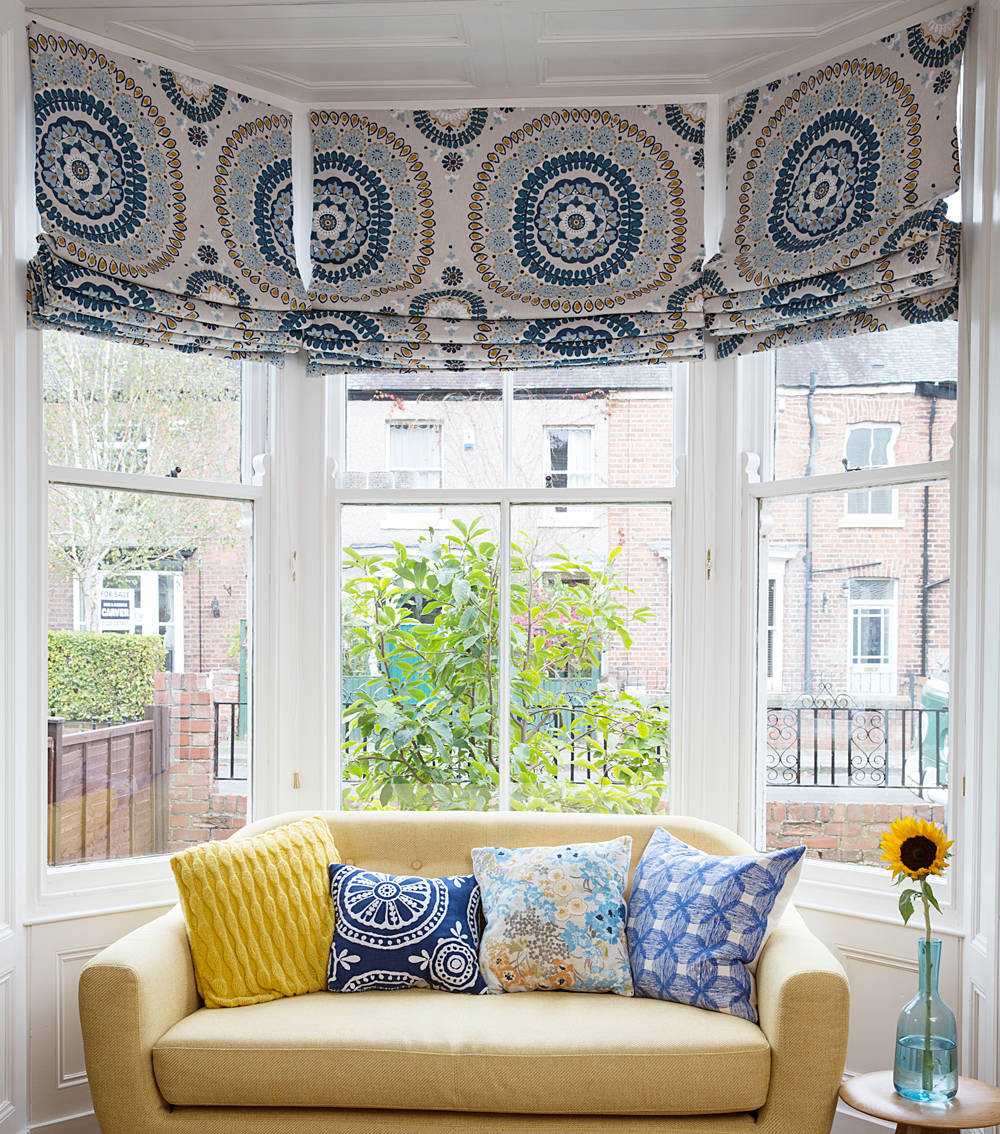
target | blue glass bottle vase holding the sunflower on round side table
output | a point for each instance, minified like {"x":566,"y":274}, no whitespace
{"x":927,"y":1037}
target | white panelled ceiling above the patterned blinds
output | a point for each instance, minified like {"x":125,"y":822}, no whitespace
{"x":462,"y":53}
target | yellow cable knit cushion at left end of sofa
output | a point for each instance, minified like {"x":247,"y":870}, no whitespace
{"x":259,"y":913}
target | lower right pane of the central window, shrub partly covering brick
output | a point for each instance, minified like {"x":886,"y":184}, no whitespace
{"x":591,"y":661}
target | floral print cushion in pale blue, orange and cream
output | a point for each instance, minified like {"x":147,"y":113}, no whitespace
{"x":555,"y":918}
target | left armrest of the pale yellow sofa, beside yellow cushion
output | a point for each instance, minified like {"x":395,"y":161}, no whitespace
{"x":130,"y":996}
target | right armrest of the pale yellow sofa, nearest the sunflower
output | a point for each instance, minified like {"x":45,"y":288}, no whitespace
{"x":803,"y":1004}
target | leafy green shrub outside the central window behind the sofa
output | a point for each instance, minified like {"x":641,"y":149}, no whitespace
{"x":422,"y":730}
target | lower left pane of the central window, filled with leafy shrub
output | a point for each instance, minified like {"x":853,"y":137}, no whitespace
{"x":421,"y":634}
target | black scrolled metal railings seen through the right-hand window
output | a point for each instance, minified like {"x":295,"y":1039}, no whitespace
{"x":832,"y":746}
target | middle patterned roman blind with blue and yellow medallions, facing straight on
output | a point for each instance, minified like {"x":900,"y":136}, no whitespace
{"x":473,"y":239}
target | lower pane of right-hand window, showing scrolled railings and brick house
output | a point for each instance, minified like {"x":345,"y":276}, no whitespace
{"x":858,"y":712}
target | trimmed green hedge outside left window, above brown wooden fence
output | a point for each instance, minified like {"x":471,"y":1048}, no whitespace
{"x":101,"y":675}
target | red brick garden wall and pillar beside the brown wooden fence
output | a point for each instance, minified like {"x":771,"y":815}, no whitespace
{"x":197,"y":811}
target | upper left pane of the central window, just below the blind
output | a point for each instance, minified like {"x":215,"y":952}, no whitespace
{"x":409,"y":436}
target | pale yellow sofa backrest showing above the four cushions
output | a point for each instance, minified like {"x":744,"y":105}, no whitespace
{"x":442,"y":843}
